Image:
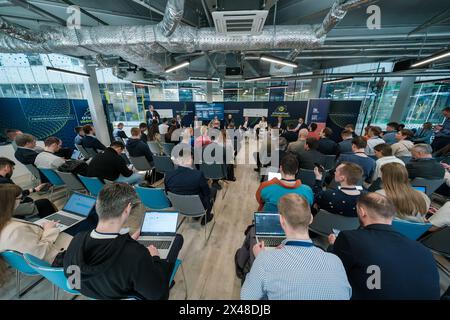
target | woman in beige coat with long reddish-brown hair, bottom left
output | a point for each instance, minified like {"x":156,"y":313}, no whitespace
{"x":44,"y":242}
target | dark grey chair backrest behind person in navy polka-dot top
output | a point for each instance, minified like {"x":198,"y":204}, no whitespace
{"x":324,"y":222}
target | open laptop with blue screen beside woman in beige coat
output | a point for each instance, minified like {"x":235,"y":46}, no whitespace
{"x":76,"y":209}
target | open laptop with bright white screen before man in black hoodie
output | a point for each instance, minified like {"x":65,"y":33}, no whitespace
{"x":159,"y":229}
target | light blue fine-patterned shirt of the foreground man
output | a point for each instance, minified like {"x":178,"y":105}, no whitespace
{"x":296,"y":273}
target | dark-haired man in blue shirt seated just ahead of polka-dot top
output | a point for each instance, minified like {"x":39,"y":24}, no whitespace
{"x":359,"y":156}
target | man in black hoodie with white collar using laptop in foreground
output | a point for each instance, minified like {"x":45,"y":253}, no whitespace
{"x":113,"y":264}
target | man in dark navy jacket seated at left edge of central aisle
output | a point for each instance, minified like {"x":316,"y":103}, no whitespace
{"x":186,"y":180}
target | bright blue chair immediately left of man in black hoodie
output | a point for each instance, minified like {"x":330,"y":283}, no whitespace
{"x":56,"y":276}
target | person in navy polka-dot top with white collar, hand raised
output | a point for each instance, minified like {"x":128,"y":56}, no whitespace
{"x":341,"y":200}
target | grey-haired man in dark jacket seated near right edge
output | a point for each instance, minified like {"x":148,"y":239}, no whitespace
{"x":423,"y":165}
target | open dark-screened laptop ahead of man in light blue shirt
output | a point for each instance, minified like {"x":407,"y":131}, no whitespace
{"x":268,"y":229}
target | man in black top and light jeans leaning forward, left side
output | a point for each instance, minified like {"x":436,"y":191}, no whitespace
{"x":111,"y":166}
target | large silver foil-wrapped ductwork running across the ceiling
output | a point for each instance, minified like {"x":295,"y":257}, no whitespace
{"x":149,"y":46}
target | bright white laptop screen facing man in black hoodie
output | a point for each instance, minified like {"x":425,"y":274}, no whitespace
{"x":159,"y":223}
